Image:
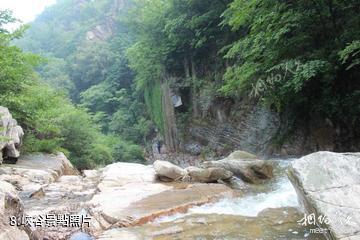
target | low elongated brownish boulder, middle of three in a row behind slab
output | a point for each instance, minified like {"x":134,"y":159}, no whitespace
{"x":208,"y":175}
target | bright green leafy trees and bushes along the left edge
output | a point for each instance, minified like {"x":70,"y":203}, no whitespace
{"x":51,"y":122}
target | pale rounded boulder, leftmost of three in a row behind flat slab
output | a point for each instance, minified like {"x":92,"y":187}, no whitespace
{"x":169,"y":170}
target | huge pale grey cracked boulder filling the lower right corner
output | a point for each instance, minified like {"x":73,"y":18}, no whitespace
{"x":328,"y":184}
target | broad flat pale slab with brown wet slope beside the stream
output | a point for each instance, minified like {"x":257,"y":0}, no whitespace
{"x":130,"y":195}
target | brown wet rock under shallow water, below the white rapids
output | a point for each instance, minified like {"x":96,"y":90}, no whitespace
{"x":271,"y":224}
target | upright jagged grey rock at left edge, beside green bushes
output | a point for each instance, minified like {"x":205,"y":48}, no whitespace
{"x":10,"y":135}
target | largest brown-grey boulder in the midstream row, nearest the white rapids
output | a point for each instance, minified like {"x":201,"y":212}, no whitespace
{"x":250,"y":169}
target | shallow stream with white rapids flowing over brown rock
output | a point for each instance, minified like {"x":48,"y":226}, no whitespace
{"x":267,"y":211}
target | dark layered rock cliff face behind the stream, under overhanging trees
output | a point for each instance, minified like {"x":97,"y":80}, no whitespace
{"x":227,"y":125}
